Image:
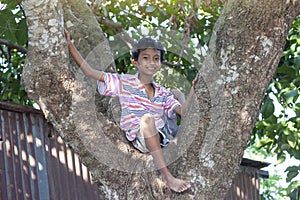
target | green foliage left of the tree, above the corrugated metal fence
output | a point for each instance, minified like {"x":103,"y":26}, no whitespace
{"x":13,"y":29}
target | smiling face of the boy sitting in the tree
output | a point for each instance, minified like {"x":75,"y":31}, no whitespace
{"x":148,"y":62}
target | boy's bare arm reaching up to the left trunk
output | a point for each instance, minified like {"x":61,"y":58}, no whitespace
{"x":84,"y":66}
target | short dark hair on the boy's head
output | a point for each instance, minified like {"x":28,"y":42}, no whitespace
{"x":144,"y":43}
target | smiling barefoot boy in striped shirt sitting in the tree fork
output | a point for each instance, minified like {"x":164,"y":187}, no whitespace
{"x":145,"y":104}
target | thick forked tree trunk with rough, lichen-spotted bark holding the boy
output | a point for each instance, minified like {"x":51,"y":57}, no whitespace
{"x":244,"y":51}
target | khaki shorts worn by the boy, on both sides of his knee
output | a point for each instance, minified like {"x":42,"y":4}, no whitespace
{"x":165,"y":138}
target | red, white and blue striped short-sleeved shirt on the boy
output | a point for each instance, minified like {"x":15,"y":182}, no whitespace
{"x":135,"y":103}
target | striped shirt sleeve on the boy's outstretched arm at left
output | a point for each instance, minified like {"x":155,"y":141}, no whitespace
{"x":110,"y":85}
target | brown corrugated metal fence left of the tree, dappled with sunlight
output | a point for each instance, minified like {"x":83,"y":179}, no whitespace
{"x":34,"y":161}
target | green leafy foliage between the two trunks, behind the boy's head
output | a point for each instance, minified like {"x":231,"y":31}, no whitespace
{"x":184,"y":21}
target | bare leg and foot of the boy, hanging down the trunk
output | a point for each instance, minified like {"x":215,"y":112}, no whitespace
{"x":152,"y":140}
